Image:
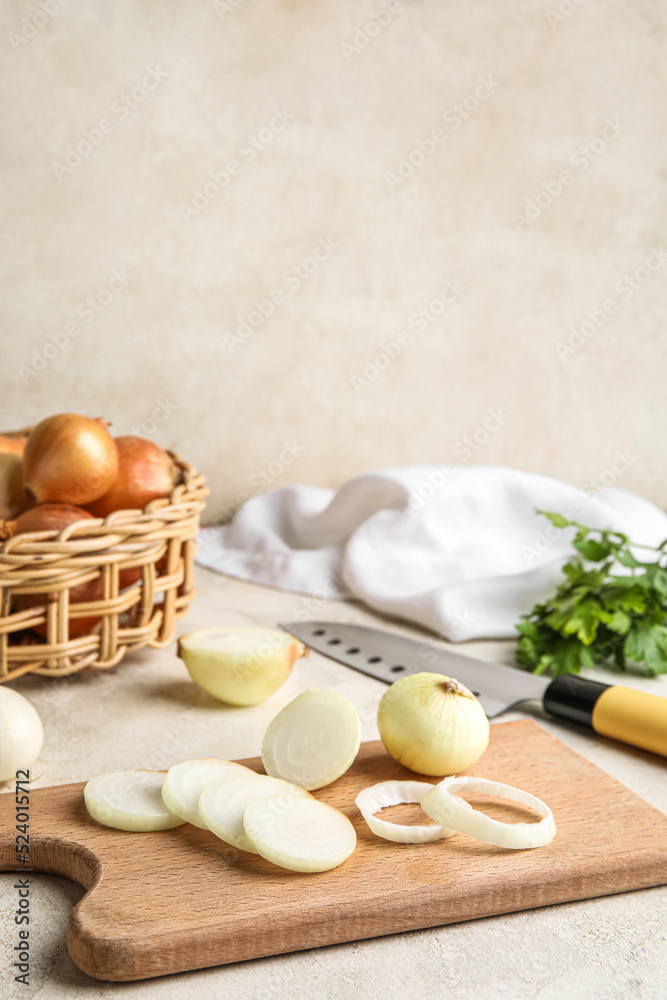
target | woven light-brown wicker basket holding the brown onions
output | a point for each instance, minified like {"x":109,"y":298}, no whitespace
{"x":158,"y":543}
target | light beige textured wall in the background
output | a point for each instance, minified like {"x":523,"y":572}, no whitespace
{"x":339,"y":98}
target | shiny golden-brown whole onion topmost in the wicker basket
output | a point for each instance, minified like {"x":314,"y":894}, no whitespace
{"x":70,"y":459}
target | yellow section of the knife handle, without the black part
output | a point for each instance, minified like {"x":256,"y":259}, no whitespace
{"x":633,"y":717}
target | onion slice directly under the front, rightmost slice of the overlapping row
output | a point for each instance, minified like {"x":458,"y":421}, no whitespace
{"x":223,"y":802}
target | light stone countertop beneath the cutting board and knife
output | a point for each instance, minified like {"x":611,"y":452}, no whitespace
{"x":147,"y":713}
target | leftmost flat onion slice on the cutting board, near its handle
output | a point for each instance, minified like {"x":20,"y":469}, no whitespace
{"x":130,"y":800}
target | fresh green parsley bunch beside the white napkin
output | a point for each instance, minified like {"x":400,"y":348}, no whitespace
{"x":597,"y":616}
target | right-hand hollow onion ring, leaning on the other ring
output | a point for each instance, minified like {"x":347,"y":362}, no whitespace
{"x":442,"y":805}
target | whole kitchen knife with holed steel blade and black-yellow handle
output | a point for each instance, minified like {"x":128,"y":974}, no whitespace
{"x":622,"y":713}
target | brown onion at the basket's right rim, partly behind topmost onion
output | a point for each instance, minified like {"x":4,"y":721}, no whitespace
{"x":145,"y":472}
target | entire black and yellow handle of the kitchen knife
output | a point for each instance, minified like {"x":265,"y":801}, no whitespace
{"x":622,"y":713}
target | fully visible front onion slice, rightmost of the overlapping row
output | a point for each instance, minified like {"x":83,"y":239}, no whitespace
{"x":302,"y":835}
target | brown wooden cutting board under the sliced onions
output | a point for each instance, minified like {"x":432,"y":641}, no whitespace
{"x":182,"y":899}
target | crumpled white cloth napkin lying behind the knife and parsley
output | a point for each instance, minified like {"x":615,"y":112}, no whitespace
{"x":459,"y":550}
